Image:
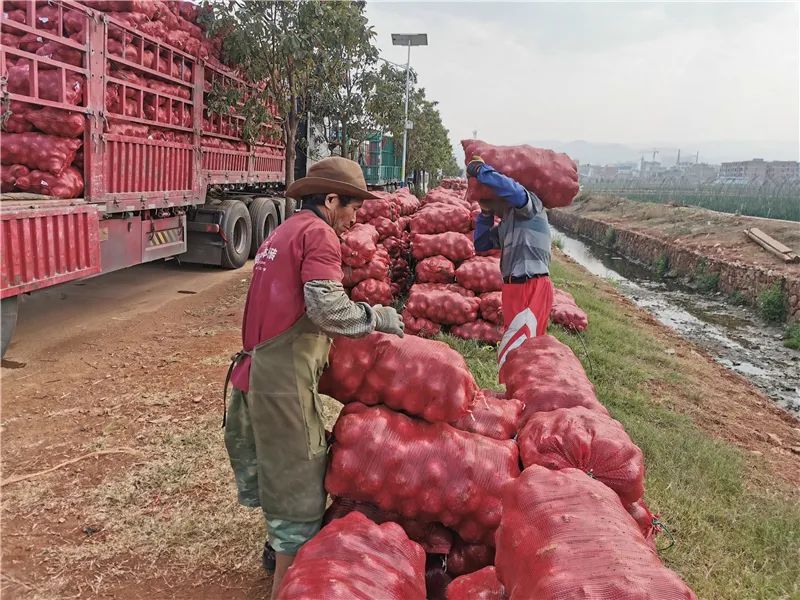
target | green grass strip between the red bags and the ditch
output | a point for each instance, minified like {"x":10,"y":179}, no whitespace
{"x":735,"y":539}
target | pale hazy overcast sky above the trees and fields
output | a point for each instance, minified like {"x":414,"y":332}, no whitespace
{"x":720,"y":78}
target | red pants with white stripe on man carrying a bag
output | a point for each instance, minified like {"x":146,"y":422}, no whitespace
{"x":526,"y":310}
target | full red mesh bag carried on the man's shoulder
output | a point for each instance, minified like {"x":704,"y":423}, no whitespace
{"x":552,"y":176}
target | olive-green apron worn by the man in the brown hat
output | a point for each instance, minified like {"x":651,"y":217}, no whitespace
{"x":286,"y":414}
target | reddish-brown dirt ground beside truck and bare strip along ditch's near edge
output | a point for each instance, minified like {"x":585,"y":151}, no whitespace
{"x":156,"y":517}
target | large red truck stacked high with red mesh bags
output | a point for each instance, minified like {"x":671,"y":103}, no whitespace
{"x":163,"y":175}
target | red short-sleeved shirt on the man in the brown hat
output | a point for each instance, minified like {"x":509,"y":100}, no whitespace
{"x":302,"y":249}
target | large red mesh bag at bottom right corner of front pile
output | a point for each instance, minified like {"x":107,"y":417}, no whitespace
{"x":565,"y":535}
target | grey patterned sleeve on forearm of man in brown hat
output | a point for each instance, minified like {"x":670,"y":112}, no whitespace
{"x":329,"y":308}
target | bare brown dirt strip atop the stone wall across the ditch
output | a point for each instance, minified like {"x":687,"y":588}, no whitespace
{"x":712,"y":233}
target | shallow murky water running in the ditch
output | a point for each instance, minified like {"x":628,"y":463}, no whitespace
{"x":733,"y":335}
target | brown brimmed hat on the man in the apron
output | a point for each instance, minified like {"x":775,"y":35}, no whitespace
{"x":334,"y":175}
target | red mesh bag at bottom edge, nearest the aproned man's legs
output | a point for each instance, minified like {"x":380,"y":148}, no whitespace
{"x":356,"y":558}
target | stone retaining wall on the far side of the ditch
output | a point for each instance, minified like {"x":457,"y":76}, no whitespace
{"x":748,"y":280}
